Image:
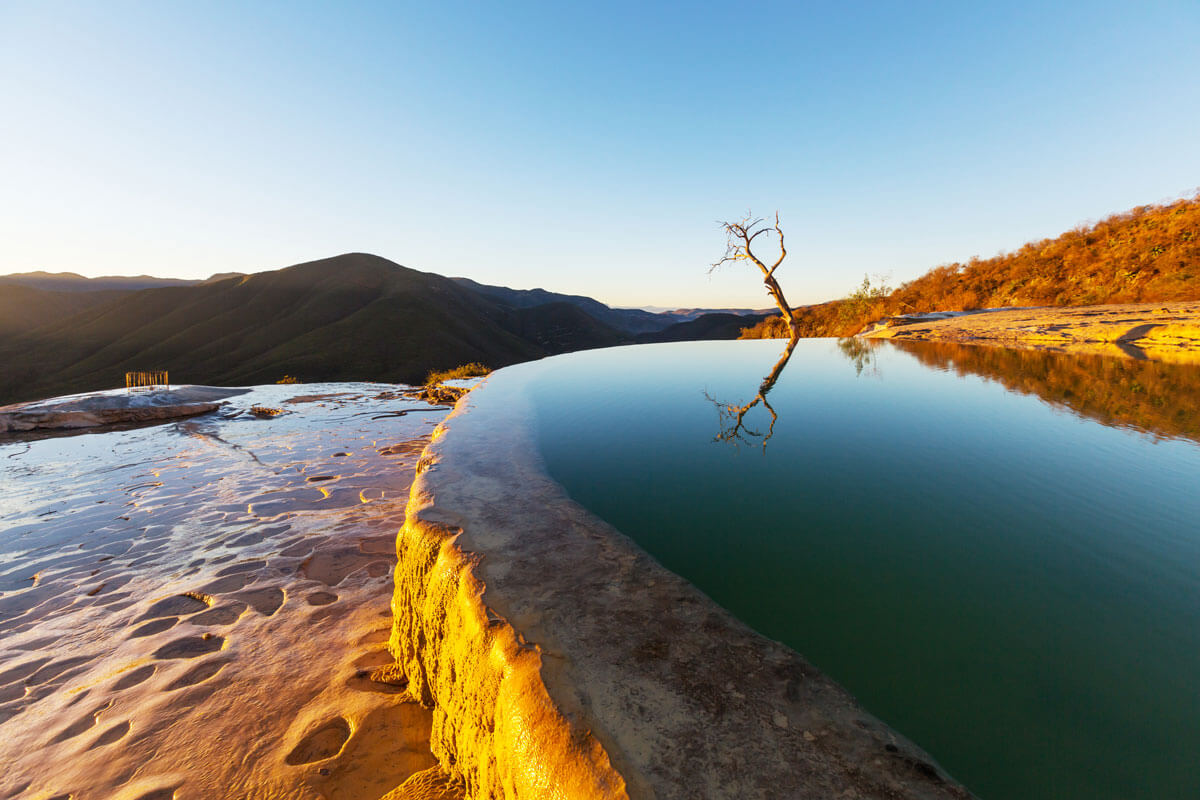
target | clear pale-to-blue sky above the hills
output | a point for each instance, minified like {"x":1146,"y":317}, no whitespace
{"x":584,"y":148}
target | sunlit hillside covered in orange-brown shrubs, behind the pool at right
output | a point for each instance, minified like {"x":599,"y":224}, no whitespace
{"x":1148,"y":255}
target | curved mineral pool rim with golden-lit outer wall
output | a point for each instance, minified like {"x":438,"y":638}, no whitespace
{"x":563,"y":660}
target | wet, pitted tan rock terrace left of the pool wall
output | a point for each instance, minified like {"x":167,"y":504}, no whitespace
{"x":200,"y":610}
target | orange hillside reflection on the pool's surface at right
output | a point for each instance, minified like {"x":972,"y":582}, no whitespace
{"x":1154,"y":398}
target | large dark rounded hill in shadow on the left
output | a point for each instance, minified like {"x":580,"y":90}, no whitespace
{"x":353,"y":317}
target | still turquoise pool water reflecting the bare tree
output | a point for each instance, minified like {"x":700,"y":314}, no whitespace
{"x":1011,"y":579}
